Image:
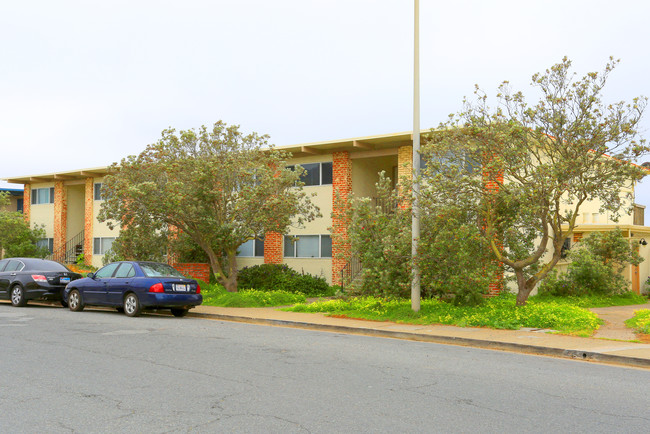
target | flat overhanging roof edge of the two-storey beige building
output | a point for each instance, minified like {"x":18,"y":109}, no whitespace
{"x":356,"y":144}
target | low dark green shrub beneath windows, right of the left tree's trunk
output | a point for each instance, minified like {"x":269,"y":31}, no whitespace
{"x":279,"y":277}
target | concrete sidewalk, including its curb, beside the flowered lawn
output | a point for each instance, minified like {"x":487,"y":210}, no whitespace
{"x":528,"y":341}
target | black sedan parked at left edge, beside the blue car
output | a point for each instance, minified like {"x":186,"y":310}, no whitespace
{"x":23,"y":279}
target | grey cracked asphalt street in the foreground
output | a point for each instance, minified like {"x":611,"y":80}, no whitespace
{"x":100,"y":371}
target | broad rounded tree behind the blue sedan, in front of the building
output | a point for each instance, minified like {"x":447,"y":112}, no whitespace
{"x":218,"y":186}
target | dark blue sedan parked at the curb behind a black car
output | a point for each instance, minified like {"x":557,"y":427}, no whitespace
{"x":131,"y":286}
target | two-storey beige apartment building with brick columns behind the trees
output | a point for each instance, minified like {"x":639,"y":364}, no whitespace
{"x":67,"y":204}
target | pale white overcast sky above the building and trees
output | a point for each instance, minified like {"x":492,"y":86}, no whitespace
{"x":85,"y":83}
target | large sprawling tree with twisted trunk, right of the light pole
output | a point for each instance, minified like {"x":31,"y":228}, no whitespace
{"x":530,"y":168}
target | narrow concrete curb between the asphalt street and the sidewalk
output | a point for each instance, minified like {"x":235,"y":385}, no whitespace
{"x":589,"y":356}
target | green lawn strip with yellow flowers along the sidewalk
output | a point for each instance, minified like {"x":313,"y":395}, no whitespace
{"x":567,"y":315}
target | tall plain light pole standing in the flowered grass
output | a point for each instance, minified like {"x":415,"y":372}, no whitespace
{"x":415,"y":219}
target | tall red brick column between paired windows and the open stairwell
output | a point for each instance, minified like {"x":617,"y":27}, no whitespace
{"x":341,"y":192}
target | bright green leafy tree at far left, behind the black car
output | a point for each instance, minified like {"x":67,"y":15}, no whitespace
{"x":16,"y":237}
